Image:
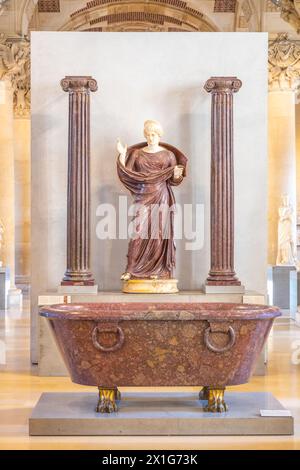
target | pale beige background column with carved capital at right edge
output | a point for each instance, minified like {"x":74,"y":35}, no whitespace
{"x":284,"y":74}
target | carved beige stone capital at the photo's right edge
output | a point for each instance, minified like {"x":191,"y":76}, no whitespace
{"x":284,"y":64}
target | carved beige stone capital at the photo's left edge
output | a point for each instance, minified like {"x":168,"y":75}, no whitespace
{"x":15,"y":67}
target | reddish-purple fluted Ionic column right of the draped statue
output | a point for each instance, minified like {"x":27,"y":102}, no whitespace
{"x":222,"y":181}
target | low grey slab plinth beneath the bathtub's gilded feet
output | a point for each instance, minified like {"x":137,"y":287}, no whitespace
{"x":73,"y":414}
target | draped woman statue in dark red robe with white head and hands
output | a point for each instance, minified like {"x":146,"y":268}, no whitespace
{"x":149,"y":172}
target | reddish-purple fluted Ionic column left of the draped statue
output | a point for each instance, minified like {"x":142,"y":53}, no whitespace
{"x":78,"y":212}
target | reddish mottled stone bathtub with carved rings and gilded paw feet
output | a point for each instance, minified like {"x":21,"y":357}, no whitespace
{"x":110,"y":345}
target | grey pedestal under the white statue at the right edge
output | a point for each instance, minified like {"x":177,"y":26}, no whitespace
{"x":282,"y":287}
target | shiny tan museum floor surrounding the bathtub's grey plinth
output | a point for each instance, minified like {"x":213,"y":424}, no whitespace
{"x":20,"y":389}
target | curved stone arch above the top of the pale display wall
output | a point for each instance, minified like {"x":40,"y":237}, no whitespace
{"x":138,"y":15}
